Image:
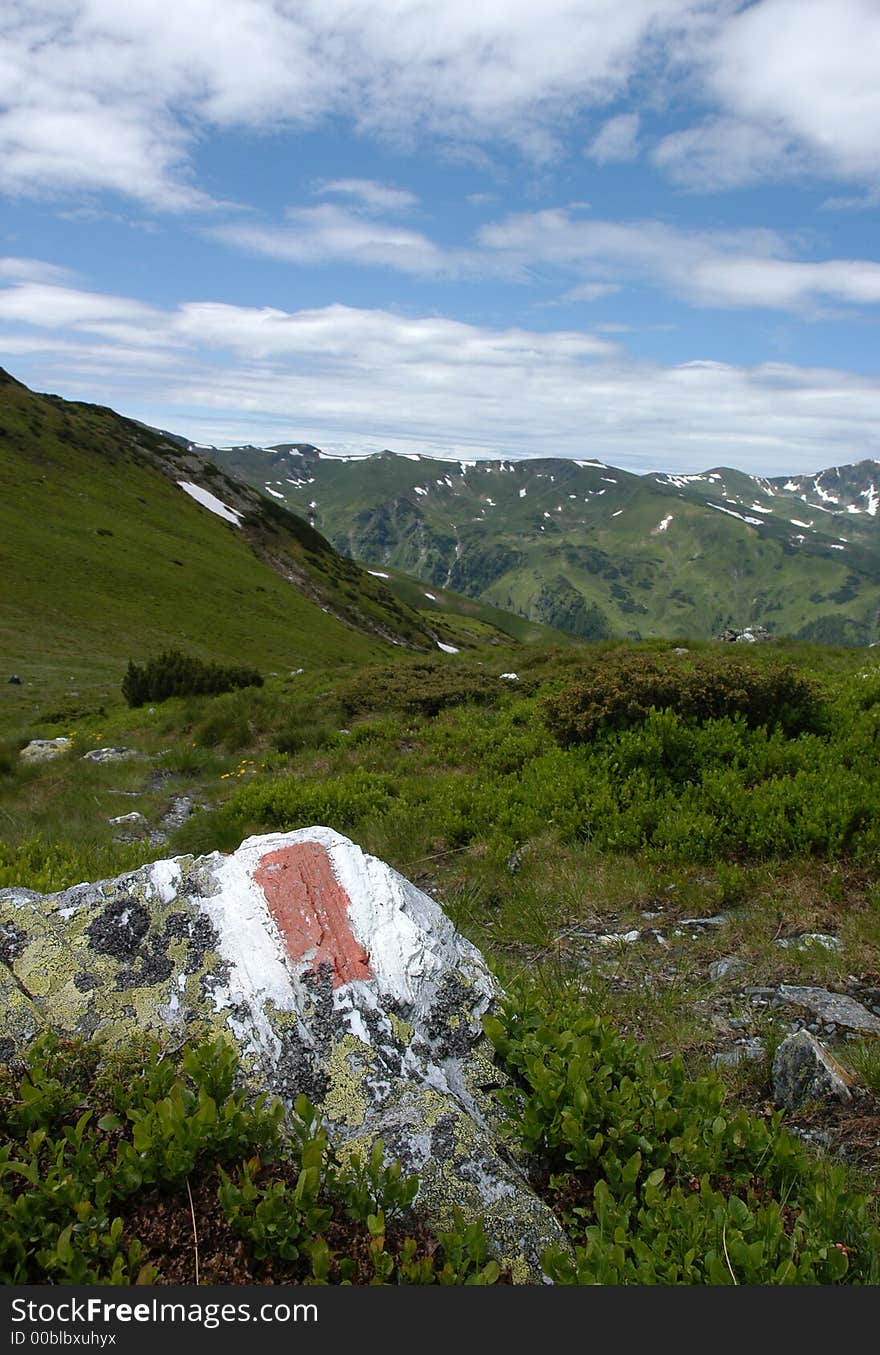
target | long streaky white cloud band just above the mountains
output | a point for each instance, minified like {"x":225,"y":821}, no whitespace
{"x":369,"y":379}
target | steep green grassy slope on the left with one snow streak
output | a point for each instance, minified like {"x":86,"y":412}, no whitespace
{"x":106,"y":558}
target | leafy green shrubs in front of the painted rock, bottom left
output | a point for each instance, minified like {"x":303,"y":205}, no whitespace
{"x":83,"y":1135}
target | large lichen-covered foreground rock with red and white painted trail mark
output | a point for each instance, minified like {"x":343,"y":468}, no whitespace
{"x":334,"y":976}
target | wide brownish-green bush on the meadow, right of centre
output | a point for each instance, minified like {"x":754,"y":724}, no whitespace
{"x":622,"y":692}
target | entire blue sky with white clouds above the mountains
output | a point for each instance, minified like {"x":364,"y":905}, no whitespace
{"x":638,"y":231}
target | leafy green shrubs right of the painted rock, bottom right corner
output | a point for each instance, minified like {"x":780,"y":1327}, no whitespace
{"x":657,"y":1181}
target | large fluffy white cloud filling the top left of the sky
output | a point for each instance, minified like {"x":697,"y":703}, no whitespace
{"x":108,"y":97}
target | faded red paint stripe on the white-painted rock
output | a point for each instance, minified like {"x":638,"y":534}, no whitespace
{"x":311,"y":910}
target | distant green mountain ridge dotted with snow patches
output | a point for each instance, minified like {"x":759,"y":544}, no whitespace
{"x":597,"y":551}
